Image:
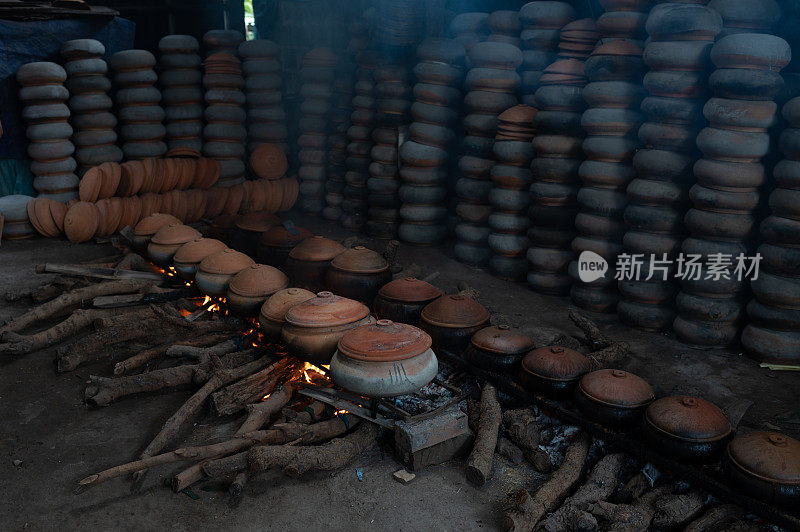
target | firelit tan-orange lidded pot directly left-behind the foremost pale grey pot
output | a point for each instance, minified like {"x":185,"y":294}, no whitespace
{"x":313,"y":328}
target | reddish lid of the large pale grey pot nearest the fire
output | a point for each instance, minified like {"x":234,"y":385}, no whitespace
{"x":384,"y":341}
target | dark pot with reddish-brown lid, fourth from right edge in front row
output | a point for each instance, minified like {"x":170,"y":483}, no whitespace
{"x":553,"y":371}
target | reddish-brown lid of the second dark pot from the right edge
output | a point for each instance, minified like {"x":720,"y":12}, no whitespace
{"x":688,"y":418}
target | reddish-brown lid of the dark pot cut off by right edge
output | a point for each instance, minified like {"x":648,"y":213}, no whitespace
{"x":769,"y":456}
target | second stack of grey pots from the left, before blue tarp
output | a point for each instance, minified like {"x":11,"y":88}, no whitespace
{"x":89,"y":104}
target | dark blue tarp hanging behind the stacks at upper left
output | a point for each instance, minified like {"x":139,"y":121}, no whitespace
{"x":26,"y":42}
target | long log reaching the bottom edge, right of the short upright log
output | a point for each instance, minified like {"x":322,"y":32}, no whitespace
{"x":529,"y":509}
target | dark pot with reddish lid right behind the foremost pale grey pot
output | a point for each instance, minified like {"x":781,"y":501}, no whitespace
{"x":402,"y":300}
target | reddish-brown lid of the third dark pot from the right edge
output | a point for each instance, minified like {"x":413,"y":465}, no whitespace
{"x":616,"y":388}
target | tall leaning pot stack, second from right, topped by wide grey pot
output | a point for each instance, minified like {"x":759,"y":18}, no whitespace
{"x":725,"y":199}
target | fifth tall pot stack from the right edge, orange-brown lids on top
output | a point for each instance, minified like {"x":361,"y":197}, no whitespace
{"x":554,"y":192}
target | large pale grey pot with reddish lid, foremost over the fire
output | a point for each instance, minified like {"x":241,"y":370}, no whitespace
{"x":369,"y":358}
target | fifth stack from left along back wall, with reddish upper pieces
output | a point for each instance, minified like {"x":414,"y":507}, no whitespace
{"x":224,"y":134}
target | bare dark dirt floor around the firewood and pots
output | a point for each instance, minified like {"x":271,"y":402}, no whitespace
{"x":49,"y":438}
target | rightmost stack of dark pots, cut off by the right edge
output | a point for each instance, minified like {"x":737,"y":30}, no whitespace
{"x":773,"y":332}
